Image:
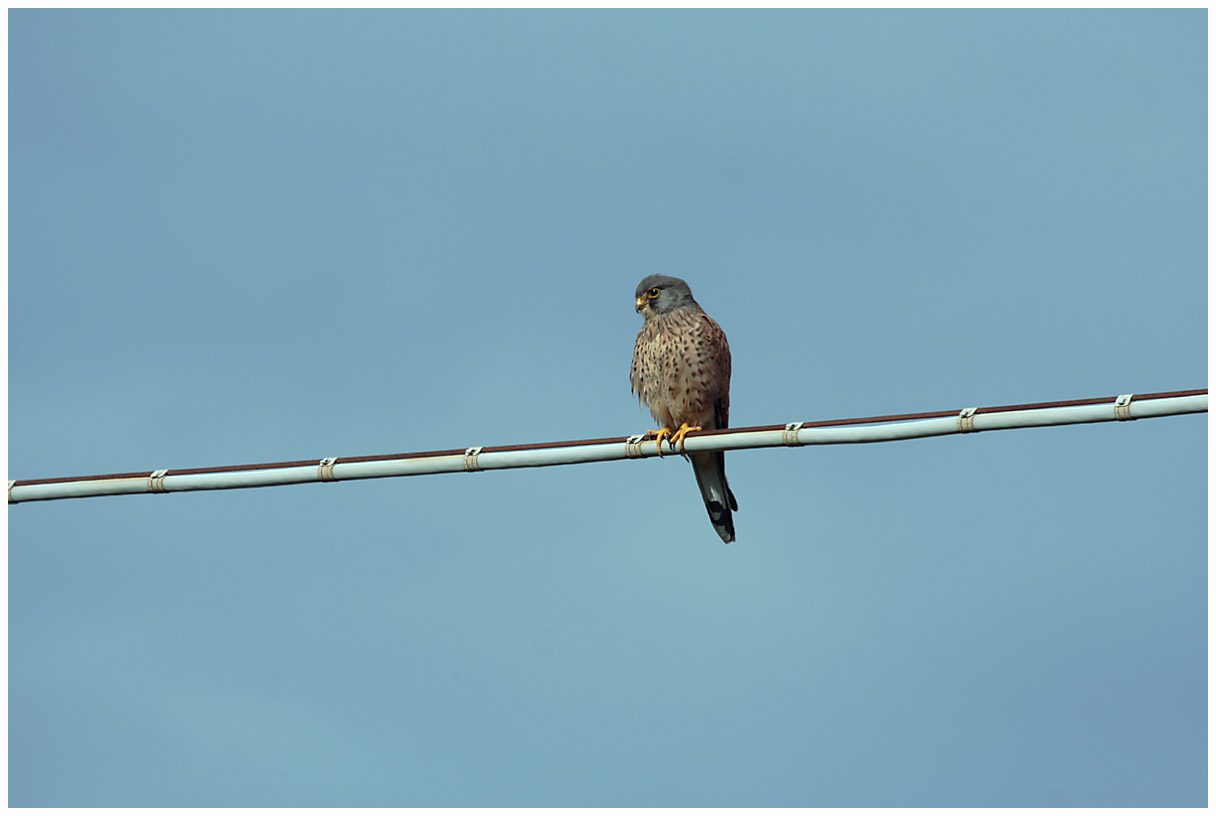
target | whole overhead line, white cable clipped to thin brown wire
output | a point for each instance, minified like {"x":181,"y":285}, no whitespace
{"x":823,"y":432}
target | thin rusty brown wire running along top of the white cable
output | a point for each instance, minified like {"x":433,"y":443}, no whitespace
{"x":609,"y":441}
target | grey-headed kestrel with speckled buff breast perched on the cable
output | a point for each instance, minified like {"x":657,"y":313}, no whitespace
{"x":683,"y":373}
